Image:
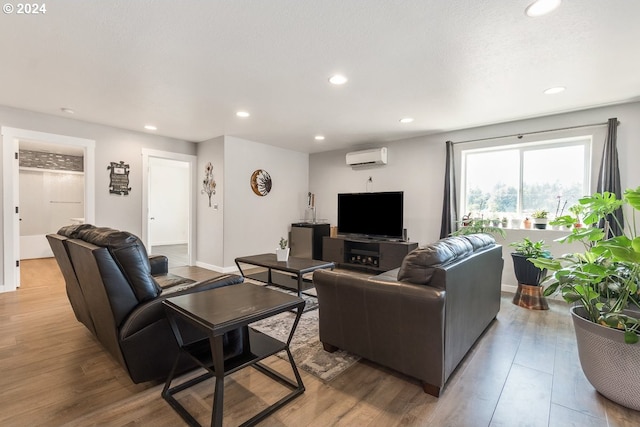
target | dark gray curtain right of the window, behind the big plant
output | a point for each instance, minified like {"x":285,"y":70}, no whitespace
{"x":609,"y":176}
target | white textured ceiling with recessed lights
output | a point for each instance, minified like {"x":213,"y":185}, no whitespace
{"x":187,"y":66}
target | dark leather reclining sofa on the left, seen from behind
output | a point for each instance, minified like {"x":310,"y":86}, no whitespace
{"x":116,"y":290}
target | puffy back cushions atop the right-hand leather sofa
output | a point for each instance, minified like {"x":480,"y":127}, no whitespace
{"x":418,"y":266}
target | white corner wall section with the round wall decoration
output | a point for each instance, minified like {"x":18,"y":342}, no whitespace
{"x":244,"y":223}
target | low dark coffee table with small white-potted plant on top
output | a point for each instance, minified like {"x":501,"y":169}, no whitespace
{"x":298,"y":267}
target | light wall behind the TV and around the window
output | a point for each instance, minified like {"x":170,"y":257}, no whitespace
{"x":416,"y":166}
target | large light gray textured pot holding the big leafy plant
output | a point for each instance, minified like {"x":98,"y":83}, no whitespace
{"x":611,"y":366}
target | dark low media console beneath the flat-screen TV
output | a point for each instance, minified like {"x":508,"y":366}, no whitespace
{"x":380,"y":255}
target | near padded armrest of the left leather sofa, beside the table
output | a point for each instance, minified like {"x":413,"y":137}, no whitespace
{"x":152,"y":311}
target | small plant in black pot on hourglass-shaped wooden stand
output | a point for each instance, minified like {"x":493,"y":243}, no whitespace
{"x":529,"y":294}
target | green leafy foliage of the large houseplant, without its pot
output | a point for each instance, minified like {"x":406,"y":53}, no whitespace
{"x":604,"y":278}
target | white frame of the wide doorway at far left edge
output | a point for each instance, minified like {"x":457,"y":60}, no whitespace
{"x":10,"y":179}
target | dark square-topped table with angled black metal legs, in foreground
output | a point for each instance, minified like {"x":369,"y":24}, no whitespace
{"x":220,"y":310}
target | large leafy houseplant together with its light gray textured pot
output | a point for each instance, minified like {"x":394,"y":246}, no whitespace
{"x":602,"y":284}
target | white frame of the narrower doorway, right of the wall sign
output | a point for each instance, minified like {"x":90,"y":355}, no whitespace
{"x":192,"y":160}
